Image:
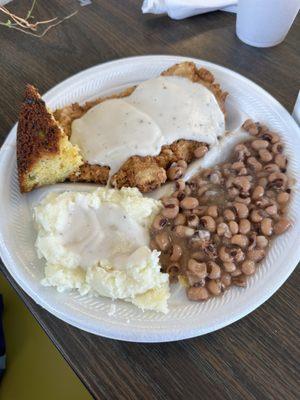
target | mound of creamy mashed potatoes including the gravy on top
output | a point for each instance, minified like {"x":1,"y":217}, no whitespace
{"x":98,"y":243}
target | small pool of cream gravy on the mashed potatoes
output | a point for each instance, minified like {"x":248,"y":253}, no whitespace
{"x":99,"y":234}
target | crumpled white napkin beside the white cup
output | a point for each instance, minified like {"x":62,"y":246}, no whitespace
{"x":179,"y":9}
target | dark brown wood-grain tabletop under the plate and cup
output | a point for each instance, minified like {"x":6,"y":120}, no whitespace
{"x":255,"y":358}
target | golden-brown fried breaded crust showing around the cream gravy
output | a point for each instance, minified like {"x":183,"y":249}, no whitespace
{"x":146,"y":173}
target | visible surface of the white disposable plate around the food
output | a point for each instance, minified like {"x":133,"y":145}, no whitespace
{"x":121,"y":320}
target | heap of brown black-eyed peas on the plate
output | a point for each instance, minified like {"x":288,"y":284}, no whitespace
{"x":216,"y":228}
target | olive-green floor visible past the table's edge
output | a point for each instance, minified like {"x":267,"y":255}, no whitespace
{"x":35,"y":369}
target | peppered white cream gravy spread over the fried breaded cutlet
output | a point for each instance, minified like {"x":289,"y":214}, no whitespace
{"x":158,"y":112}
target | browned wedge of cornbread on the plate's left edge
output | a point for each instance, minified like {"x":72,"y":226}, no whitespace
{"x":44,"y":153}
